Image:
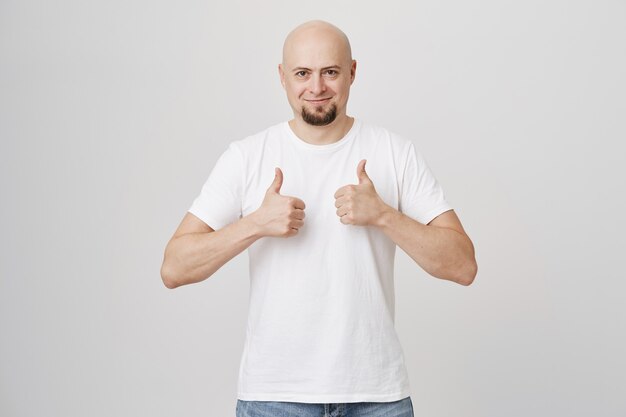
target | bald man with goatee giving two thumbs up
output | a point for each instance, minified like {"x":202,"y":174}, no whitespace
{"x":320,"y":335}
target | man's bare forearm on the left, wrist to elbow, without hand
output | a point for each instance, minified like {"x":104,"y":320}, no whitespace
{"x":194,"y":257}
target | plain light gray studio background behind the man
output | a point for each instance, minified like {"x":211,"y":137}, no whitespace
{"x":113,"y":113}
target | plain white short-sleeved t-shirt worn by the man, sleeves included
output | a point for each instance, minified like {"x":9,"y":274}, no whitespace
{"x":322,"y":306}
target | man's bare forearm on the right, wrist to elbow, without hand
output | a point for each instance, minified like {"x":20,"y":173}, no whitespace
{"x":442,"y":252}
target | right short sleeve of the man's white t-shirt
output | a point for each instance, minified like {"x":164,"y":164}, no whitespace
{"x":421,"y":196}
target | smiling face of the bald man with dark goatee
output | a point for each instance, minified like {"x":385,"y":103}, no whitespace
{"x":317,"y":73}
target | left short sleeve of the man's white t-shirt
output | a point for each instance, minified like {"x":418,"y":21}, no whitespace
{"x":219,"y":202}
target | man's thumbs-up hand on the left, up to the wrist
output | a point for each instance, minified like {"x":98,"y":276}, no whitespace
{"x":279,"y":215}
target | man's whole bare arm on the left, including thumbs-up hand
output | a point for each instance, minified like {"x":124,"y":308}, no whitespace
{"x":196,"y":251}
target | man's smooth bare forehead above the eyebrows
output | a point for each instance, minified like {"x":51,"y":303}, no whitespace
{"x":315,"y":48}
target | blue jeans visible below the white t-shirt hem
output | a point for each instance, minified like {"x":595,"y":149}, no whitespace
{"x":400,"y":408}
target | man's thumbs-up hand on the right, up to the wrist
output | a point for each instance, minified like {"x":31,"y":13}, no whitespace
{"x":359,"y":204}
